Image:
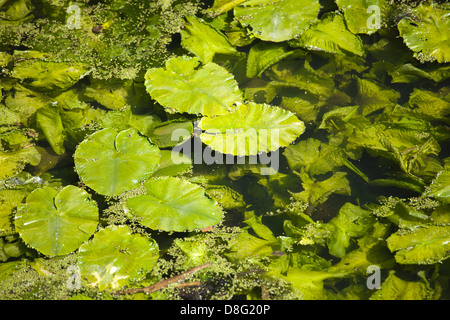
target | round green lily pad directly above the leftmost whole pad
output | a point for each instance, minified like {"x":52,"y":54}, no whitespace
{"x":111,"y":163}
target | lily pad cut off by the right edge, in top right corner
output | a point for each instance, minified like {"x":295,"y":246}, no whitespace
{"x":427,"y":35}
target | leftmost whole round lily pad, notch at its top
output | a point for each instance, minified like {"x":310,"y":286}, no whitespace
{"x":56,"y":223}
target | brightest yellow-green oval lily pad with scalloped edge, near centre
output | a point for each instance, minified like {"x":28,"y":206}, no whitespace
{"x":251,"y":129}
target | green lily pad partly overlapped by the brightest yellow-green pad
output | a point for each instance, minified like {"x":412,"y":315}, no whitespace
{"x":209,"y":90}
